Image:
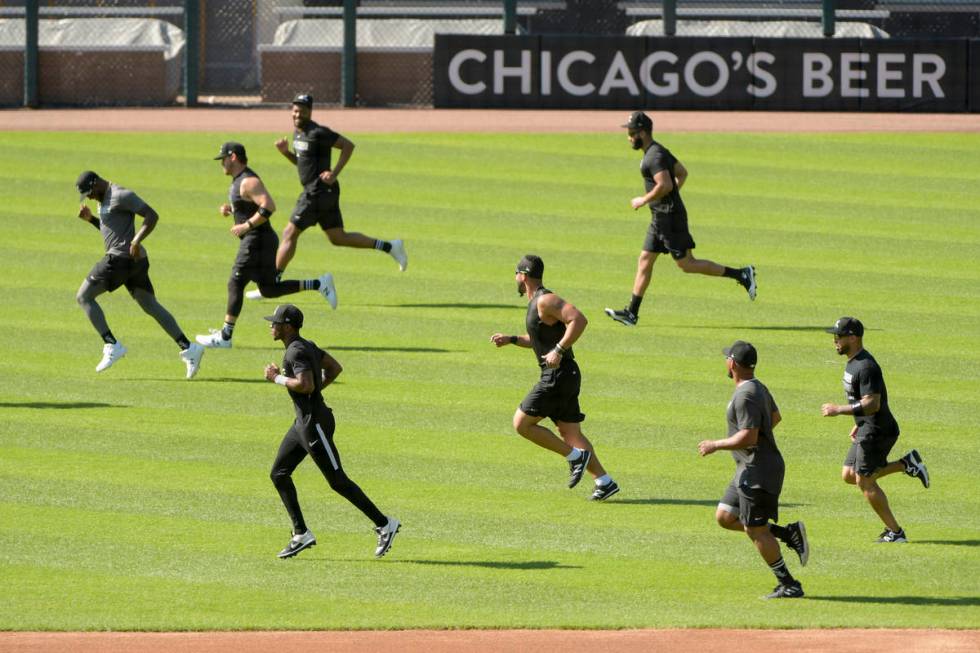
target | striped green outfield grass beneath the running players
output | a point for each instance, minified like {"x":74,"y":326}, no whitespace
{"x":136,"y":500}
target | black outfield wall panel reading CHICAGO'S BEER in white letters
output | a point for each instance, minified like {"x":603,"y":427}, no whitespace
{"x":613,"y":72}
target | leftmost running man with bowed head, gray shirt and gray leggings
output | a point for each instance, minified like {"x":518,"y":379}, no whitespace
{"x":125,"y":263}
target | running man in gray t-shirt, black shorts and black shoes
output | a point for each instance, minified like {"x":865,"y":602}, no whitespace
{"x":751,"y":502}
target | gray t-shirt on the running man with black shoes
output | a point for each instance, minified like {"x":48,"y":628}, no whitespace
{"x":760,"y":466}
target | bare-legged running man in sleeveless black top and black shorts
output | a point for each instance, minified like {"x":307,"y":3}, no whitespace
{"x":553,"y":326}
